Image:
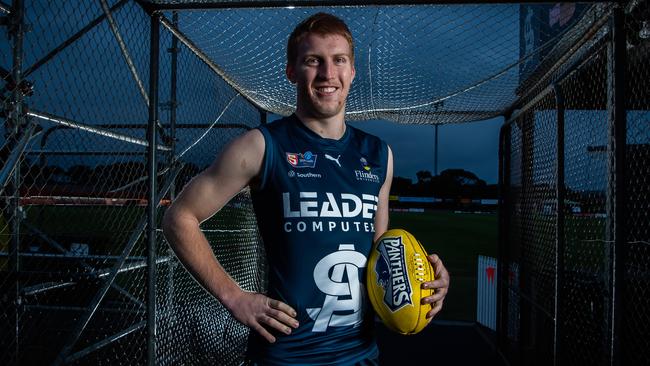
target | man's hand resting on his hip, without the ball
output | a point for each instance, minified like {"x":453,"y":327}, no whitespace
{"x":260,"y":312}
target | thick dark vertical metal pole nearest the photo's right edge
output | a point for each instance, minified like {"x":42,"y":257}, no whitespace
{"x":616,"y":195}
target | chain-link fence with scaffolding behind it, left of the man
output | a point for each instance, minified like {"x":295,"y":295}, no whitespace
{"x":75,"y":265}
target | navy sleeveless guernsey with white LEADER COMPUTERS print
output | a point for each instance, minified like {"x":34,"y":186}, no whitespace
{"x":315,"y":208}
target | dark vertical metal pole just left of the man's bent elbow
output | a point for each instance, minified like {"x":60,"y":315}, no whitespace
{"x":152,"y":204}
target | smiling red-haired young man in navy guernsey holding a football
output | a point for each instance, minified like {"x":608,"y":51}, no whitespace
{"x":320,"y":192}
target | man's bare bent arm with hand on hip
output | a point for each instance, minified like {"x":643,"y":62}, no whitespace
{"x":235,"y":168}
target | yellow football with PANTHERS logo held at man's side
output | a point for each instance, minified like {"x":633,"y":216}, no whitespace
{"x":397,"y":267}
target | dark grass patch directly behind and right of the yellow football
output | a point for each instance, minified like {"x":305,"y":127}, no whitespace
{"x":458,"y":239}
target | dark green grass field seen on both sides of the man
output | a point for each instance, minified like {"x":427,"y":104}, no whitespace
{"x":458,"y":238}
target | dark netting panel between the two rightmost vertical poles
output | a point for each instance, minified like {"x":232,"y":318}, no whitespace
{"x":584,"y":288}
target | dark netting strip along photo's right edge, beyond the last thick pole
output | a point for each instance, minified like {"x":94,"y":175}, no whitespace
{"x":637,"y":262}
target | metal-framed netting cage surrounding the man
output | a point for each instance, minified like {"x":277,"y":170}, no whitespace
{"x":110,"y":107}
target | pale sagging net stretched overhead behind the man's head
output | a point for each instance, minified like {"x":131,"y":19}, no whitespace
{"x":414,"y":64}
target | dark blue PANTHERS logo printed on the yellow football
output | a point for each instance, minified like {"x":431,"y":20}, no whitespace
{"x":392,"y":274}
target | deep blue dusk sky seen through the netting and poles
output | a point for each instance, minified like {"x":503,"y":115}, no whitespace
{"x":89,"y":82}
